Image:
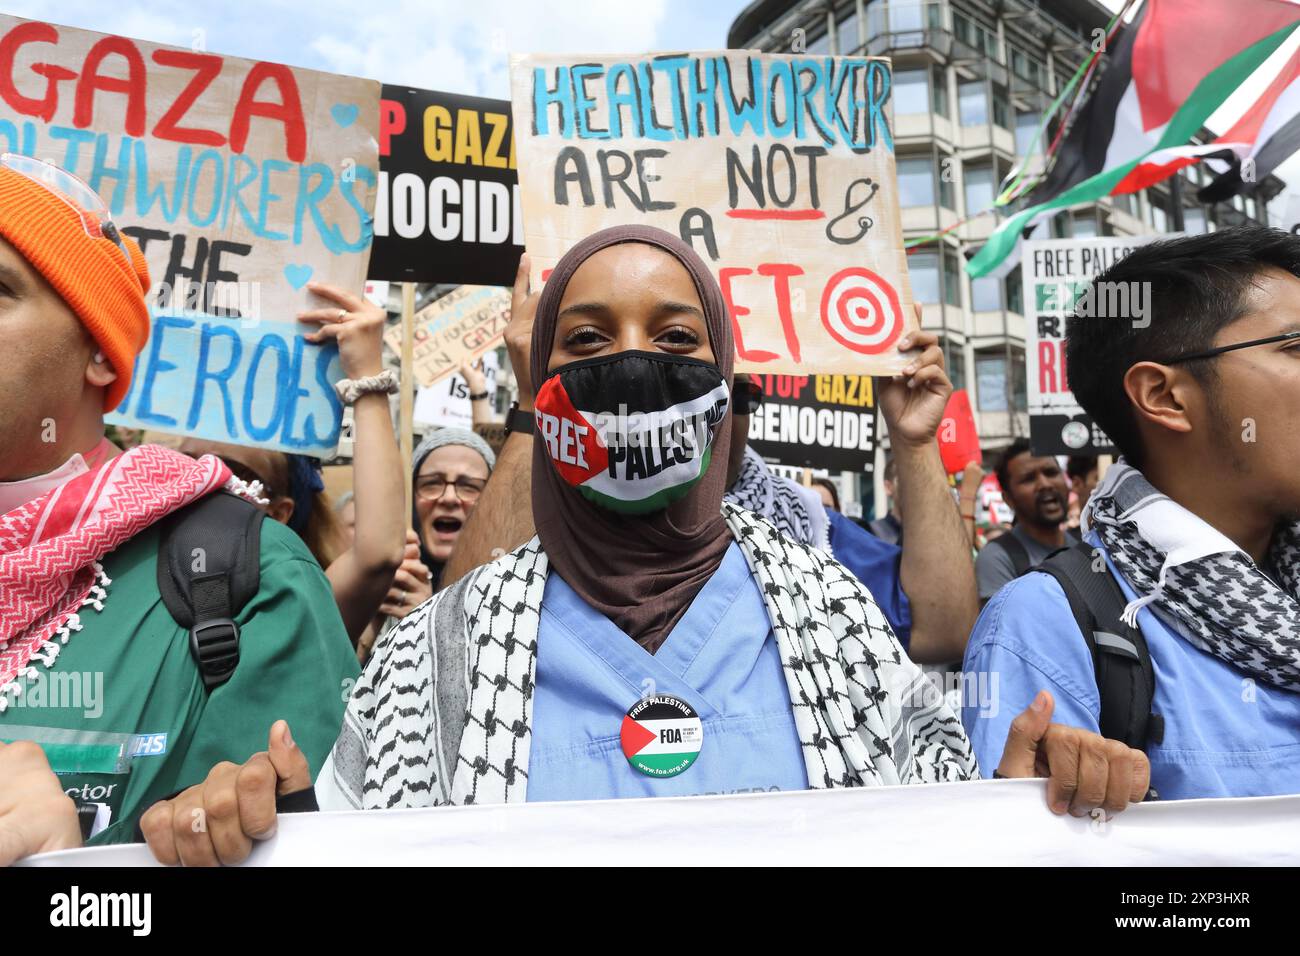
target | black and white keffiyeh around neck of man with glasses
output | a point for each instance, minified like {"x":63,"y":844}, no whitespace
{"x":1223,"y":603}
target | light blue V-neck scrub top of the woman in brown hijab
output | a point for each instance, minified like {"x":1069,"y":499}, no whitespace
{"x":721,"y":659}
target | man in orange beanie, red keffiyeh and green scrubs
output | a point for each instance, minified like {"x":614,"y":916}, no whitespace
{"x":89,"y":643}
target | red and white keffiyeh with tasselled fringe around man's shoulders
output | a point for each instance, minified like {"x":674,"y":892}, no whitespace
{"x":51,"y":547}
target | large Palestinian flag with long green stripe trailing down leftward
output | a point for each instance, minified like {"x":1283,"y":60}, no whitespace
{"x":1168,"y":73}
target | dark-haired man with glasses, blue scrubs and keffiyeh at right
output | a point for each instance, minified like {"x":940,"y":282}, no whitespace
{"x":1197,"y":525}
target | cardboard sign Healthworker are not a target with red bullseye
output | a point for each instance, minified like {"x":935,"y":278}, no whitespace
{"x":778,"y":170}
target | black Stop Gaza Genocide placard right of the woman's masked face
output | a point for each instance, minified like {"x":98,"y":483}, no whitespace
{"x":817,"y":422}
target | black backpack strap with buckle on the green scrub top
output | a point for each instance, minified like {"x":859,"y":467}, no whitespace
{"x":209,"y":569}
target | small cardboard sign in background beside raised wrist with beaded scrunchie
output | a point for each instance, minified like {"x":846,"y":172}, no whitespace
{"x":456,"y":330}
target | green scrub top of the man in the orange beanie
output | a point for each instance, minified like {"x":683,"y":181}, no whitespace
{"x":123,"y":713}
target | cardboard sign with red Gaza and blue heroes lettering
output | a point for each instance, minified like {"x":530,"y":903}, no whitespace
{"x":241,"y":181}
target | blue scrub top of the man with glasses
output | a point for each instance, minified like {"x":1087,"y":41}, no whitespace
{"x":1225,"y":734}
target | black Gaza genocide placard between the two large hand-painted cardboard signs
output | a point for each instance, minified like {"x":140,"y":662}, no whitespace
{"x":448,"y":207}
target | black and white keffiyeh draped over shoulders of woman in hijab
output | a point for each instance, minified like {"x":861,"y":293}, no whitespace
{"x":444,"y":711}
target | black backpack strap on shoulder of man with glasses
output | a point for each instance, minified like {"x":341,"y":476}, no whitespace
{"x":1126,"y":681}
